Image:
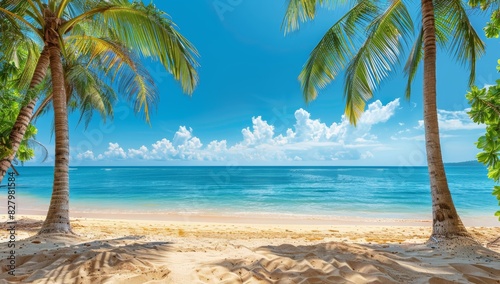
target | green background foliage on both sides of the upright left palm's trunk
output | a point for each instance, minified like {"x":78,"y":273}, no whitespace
{"x":90,"y":94}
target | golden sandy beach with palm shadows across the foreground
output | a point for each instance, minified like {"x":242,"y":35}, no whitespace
{"x":223,"y":251}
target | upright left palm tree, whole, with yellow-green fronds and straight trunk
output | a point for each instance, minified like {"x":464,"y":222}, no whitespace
{"x":130,"y":27}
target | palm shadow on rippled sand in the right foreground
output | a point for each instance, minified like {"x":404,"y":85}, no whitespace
{"x":351,"y":263}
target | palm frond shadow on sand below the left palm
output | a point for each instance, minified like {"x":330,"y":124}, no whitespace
{"x":71,"y":259}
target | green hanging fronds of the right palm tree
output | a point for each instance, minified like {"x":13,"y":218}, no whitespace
{"x":368,"y":42}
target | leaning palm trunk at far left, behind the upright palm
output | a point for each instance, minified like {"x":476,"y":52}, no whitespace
{"x":25,"y":114}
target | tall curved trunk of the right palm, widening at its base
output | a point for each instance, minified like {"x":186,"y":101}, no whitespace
{"x":446,"y":223}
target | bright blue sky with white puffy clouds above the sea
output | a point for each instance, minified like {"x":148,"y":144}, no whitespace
{"x":248,"y":108}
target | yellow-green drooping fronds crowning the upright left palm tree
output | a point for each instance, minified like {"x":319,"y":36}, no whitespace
{"x":113,"y":32}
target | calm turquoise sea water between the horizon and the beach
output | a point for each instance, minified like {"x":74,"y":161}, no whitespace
{"x":394,"y":192}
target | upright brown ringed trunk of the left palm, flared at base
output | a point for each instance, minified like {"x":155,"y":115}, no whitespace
{"x":57,"y":220}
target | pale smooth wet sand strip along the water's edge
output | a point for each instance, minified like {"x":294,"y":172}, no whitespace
{"x":37,"y":207}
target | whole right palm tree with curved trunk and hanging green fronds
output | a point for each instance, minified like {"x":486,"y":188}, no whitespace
{"x":368,"y":42}
